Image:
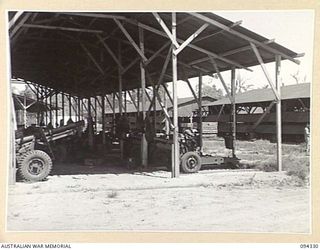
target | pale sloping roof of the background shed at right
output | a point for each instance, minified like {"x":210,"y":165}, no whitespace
{"x":266,"y":95}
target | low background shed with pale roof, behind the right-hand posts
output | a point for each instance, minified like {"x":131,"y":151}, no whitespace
{"x":256,"y":114}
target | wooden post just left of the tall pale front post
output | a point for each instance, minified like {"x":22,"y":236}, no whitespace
{"x":144,"y":144}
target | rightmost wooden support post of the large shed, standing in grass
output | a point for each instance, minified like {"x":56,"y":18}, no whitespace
{"x":278,"y":108}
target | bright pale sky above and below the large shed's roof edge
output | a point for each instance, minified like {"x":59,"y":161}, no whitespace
{"x":291,"y":29}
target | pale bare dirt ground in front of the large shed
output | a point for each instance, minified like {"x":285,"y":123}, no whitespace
{"x":110,"y":198}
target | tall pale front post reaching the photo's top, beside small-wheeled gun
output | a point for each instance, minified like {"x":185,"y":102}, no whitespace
{"x":175,"y":158}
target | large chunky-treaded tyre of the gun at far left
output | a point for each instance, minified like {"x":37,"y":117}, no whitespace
{"x":35,"y":165}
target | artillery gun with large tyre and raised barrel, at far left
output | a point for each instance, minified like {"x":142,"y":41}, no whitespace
{"x":35,"y":152}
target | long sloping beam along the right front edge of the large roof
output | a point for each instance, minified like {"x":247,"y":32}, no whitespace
{"x":244,"y":37}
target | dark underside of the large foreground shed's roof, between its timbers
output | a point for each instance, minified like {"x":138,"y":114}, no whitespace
{"x":57,"y":59}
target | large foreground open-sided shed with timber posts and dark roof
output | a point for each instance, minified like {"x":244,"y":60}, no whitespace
{"x":99,"y":56}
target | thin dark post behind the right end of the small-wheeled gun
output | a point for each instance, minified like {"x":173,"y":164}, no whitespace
{"x":233,"y":110}
